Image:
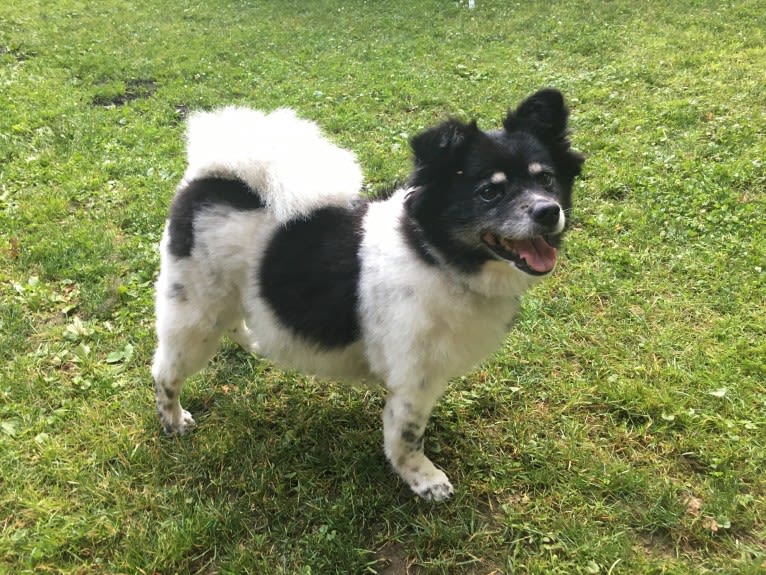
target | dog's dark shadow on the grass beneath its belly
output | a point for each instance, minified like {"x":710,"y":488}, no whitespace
{"x":274,"y":434}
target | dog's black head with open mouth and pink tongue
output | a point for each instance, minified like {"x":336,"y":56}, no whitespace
{"x":479,"y":197}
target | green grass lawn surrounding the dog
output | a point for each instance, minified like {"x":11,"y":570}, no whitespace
{"x":619,"y":430}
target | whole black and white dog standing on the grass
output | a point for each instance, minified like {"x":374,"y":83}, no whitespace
{"x":269,"y":241}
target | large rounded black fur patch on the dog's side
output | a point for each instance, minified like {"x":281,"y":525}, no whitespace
{"x":310,"y":275}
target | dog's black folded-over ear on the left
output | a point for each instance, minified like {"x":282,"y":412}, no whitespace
{"x":443,"y":147}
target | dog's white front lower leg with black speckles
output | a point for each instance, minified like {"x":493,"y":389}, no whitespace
{"x":404,"y":422}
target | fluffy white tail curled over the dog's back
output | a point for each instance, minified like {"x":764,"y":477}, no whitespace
{"x":287,"y":160}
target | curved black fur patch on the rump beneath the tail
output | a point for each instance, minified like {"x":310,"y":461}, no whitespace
{"x":199,"y":195}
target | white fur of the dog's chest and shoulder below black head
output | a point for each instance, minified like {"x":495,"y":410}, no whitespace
{"x":422,"y":321}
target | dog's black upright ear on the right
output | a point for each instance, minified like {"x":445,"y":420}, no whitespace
{"x":545,"y":115}
